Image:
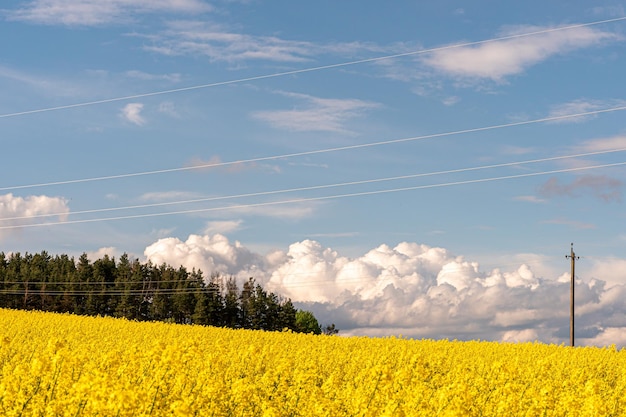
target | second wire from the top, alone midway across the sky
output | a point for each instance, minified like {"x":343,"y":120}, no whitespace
{"x":320,"y":151}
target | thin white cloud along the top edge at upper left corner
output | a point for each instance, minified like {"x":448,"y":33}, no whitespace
{"x":97,"y":12}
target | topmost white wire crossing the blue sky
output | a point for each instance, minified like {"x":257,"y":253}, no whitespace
{"x":311,"y":69}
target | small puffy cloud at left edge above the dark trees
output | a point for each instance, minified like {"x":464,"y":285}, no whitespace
{"x":16,"y":211}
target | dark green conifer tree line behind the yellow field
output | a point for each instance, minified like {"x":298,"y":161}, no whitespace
{"x":145,"y":292}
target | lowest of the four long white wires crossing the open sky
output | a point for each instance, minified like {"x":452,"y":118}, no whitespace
{"x":310,"y":199}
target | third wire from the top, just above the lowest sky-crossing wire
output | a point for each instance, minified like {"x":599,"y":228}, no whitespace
{"x":315,"y":187}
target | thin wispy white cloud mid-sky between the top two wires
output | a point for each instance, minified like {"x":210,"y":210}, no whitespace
{"x":318,"y":114}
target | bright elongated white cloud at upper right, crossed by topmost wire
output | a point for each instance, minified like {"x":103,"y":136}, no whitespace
{"x":499,"y":59}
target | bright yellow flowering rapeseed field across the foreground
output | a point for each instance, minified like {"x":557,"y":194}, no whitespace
{"x":64,"y":365}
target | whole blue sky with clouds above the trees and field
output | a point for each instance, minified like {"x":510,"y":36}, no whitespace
{"x":418,"y":169}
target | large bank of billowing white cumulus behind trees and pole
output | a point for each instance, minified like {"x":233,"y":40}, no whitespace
{"x":414,"y":290}
